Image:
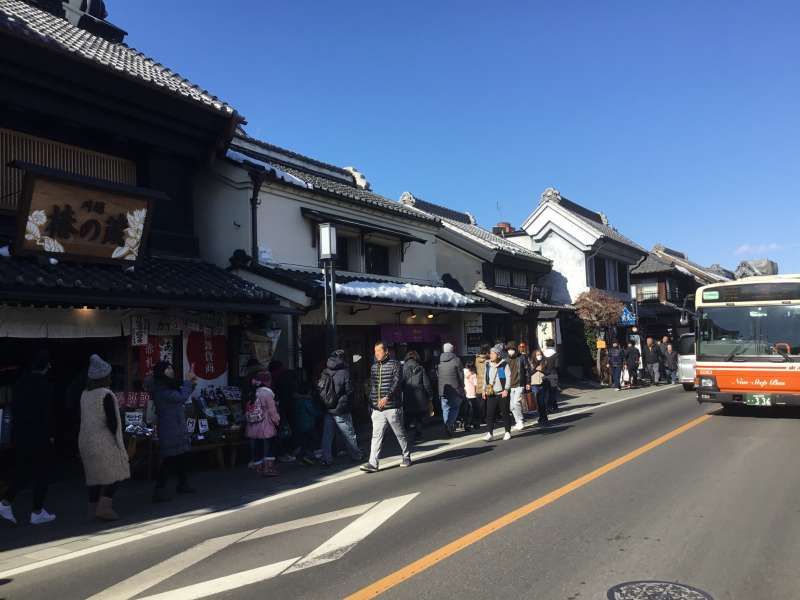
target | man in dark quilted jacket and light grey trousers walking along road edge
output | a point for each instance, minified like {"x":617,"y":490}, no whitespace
{"x":386,"y":400}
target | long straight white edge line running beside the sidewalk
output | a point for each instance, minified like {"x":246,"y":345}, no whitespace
{"x":135,"y":537}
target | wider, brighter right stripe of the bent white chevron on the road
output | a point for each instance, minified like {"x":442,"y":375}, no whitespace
{"x":333,"y":549}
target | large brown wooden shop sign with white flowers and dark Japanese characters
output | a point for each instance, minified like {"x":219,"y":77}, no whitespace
{"x":81,"y":221}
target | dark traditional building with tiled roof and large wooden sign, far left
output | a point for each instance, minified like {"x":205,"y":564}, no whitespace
{"x":99,"y":148}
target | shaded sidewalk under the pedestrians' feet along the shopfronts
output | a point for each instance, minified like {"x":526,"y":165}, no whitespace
{"x":218,"y":491}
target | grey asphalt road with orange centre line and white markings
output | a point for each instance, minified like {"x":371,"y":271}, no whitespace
{"x":715,"y":506}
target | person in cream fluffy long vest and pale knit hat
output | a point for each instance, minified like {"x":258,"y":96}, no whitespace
{"x":102,"y":450}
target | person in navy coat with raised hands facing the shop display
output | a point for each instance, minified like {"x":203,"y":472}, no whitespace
{"x":174,"y":443}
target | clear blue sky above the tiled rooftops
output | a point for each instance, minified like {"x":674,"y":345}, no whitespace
{"x":679,"y":120}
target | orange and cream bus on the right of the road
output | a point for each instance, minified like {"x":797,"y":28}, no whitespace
{"x":748,"y":342}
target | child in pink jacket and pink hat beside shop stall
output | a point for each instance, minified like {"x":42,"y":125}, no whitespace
{"x":263,"y":420}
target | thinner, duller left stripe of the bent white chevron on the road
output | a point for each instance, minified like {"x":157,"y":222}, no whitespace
{"x":148,"y":578}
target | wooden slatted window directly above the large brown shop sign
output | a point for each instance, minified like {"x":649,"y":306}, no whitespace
{"x":72,"y":159}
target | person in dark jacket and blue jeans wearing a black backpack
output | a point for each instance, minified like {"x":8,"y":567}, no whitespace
{"x":335,"y":389}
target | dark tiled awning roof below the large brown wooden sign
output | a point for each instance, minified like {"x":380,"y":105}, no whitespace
{"x":152,"y":283}
